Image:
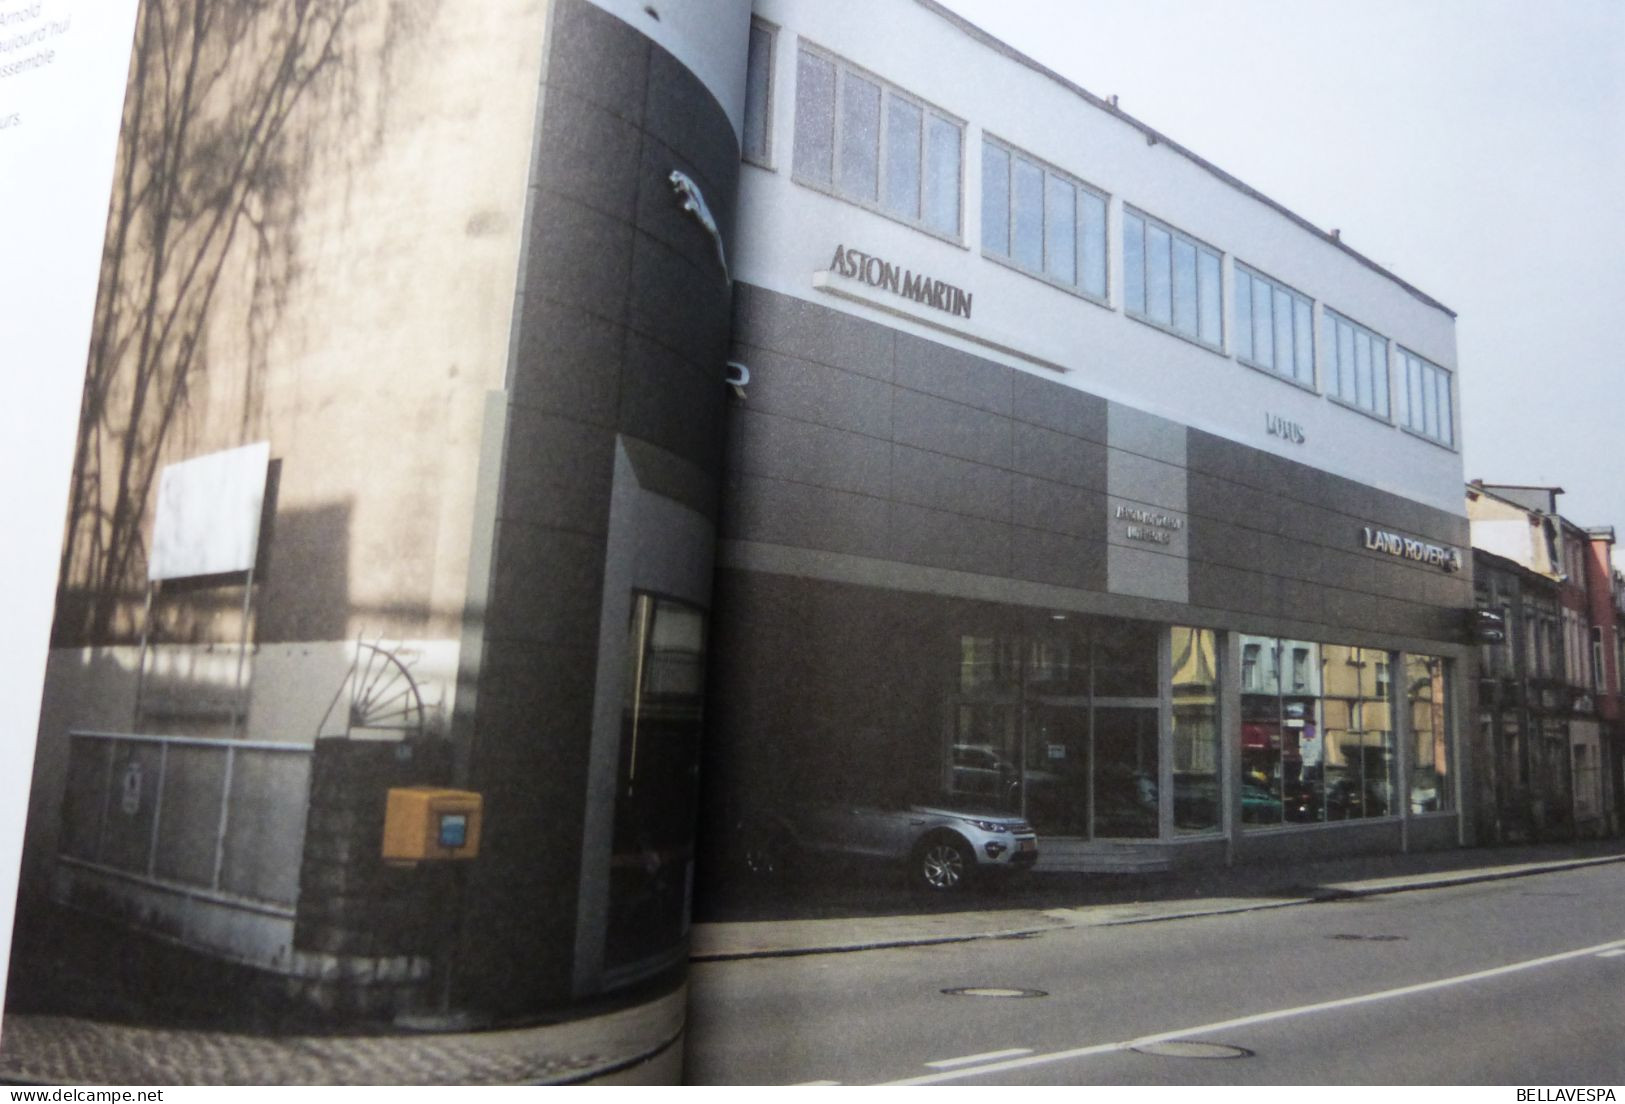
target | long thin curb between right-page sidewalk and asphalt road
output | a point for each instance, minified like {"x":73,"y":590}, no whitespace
{"x":1332,"y":893}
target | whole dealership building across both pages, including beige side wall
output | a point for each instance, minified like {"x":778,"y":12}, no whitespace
{"x":644,"y":411}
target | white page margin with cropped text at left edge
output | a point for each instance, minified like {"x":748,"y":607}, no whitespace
{"x":61,"y":92}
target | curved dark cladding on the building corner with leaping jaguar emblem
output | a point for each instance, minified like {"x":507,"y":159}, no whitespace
{"x":625,"y":319}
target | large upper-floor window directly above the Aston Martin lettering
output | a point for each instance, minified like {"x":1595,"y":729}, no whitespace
{"x":875,"y":146}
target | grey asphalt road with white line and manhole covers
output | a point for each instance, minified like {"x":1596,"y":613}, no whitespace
{"x":1506,"y":983}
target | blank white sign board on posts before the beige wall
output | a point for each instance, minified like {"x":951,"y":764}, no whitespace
{"x":209,"y":515}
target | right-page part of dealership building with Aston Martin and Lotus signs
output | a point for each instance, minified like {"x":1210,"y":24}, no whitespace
{"x":1073,"y":474}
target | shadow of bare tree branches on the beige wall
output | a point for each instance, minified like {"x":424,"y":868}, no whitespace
{"x":225,"y":105}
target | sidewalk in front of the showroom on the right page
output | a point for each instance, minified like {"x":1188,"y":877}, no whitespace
{"x":1145,"y":900}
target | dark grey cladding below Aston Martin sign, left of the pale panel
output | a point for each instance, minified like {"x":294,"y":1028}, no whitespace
{"x":873,"y":443}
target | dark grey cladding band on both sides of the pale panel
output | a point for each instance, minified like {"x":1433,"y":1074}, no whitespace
{"x":867,"y":441}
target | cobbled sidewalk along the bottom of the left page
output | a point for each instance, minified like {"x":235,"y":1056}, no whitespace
{"x":636,"y":1046}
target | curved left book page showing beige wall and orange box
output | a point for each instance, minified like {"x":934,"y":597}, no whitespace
{"x":366,"y":745}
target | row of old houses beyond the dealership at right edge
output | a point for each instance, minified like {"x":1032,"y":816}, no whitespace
{"x":1551,"y":632}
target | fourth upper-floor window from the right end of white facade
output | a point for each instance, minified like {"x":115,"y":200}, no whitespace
{"x":1171,"y":280}
